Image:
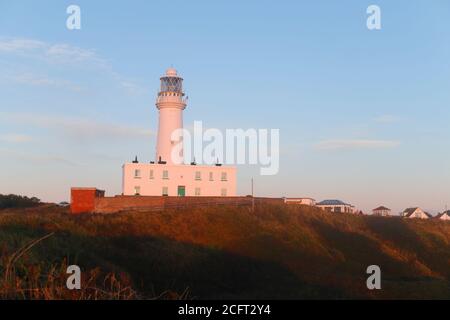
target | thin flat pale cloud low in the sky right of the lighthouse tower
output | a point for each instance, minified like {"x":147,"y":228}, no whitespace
{"x":355,"y":144}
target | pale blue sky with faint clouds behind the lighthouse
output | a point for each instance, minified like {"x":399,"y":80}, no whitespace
{"x":363,"y":115}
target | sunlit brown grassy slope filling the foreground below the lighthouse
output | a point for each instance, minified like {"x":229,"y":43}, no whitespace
{"x":281,"y":252}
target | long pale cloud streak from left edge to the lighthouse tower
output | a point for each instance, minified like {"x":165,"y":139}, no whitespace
{"x":79,"y":128}
